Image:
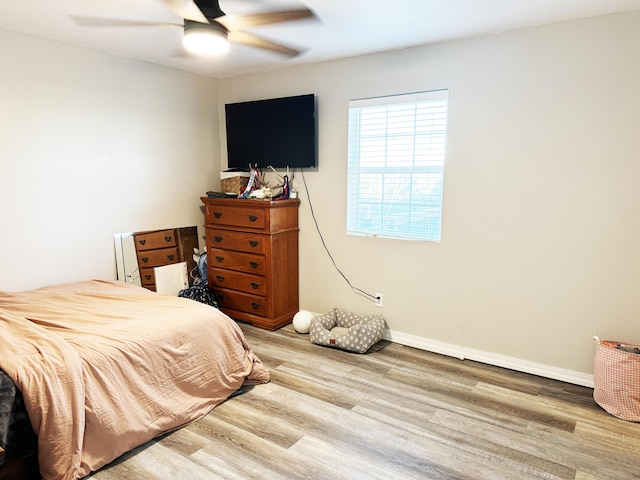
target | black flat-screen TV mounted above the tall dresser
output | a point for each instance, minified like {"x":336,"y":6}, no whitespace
{"x":278,"y":132}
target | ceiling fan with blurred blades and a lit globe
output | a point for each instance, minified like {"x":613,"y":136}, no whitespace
{"x":207,"y":29}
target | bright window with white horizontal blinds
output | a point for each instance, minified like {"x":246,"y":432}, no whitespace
{"x":396,"y":165}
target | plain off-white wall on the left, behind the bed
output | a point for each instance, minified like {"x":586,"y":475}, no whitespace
{"x":94,"y":145}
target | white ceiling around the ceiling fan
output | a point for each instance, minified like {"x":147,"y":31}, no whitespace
{"x":343,"y":28}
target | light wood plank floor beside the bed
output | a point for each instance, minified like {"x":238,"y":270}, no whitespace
{"x":393,"y":413}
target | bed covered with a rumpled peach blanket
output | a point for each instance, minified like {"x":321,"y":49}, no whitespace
{"x":101,"y":367}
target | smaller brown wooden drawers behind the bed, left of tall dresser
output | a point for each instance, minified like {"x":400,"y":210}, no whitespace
{"x":163,"y":247}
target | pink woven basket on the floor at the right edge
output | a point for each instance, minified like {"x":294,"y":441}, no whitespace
{"x":616,"y":380}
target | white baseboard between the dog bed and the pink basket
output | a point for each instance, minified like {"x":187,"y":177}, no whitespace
{"x":511,"y":363}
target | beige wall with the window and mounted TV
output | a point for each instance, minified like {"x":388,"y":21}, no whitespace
{"x":541,"y":235}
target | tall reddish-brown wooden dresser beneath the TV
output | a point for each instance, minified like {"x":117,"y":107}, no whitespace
{"x":252,"y":257}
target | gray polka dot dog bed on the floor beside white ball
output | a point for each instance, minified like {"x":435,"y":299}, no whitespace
{"x":347,"y":331}
